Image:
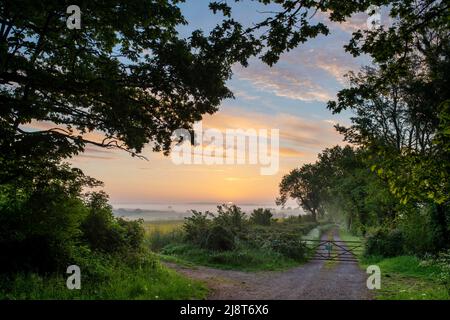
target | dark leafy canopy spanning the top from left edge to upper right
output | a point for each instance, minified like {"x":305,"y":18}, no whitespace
{"x":129,"y":75}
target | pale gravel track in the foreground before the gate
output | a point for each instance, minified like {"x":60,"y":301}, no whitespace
{"x":313,"y":280}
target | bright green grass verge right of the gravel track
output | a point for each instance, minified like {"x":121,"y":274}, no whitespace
{"x":403,"y":277}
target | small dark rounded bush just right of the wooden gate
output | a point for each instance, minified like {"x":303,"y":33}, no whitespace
{"x":387,"y":243}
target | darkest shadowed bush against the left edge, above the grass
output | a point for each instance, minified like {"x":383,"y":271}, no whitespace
{"x":39,"y":227}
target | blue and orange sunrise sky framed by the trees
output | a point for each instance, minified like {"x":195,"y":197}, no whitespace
{"x":291,"y":96}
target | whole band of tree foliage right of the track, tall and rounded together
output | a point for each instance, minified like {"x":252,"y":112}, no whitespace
{"x":399,"y":130}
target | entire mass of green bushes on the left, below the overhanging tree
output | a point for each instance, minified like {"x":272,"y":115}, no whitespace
{"x":44,"y":225}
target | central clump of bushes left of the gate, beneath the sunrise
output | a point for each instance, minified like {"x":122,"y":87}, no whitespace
{"x":228,"y":233}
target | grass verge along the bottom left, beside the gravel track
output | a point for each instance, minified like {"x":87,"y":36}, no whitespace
{"x":119,"y":282}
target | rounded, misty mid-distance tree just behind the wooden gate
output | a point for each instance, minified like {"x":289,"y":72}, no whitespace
{"x":341,"y":185}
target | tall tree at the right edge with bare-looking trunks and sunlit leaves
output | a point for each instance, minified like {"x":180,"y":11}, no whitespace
{"x":400,"y":108}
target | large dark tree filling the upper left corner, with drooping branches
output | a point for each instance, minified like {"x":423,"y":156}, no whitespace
{"x":126,"y":73}
